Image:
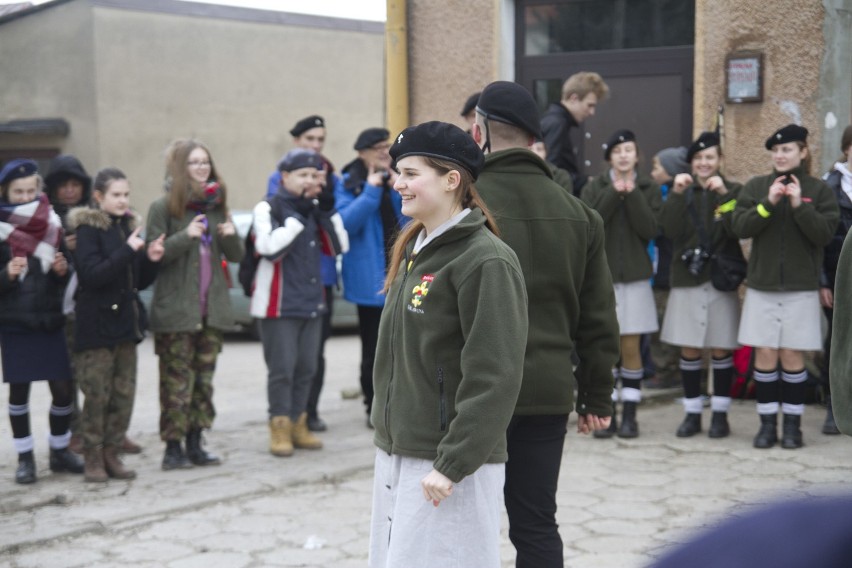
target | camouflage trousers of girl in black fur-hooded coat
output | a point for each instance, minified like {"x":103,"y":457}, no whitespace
{"x":107,"y":378}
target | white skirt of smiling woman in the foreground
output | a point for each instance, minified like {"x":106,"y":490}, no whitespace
{"x":463,"y":531}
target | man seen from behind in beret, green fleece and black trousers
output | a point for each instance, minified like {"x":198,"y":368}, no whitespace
{"x":560,"y":243}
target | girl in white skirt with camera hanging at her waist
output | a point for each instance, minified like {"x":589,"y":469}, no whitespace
{"x":697,"y":218}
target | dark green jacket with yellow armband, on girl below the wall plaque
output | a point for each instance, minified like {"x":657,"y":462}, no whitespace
{"x":787,"y":245}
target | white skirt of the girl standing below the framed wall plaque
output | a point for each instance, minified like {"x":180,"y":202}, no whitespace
{"x":781,"y":320}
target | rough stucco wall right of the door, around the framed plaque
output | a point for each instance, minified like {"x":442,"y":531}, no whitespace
{"x":795,"y":37}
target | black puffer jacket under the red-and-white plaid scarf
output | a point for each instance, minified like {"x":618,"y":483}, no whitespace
{"x":34,"y":303}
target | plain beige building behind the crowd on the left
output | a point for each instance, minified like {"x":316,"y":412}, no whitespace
{"x":114,"y":81}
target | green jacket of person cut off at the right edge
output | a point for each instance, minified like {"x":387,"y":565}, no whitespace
{"x":840,"y":371}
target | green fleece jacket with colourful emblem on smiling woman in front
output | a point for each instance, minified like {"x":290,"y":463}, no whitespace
{"x":450,"y":352}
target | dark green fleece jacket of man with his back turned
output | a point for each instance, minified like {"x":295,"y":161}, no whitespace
{"x":560,"y":244}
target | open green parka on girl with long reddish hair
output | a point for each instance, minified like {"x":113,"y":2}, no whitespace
{"x":175,"y":306}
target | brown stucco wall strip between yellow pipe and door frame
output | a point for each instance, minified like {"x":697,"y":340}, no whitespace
{"x":454,"y":50}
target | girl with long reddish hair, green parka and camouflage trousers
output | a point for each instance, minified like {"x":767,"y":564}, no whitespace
{"x":191,"y":307}
